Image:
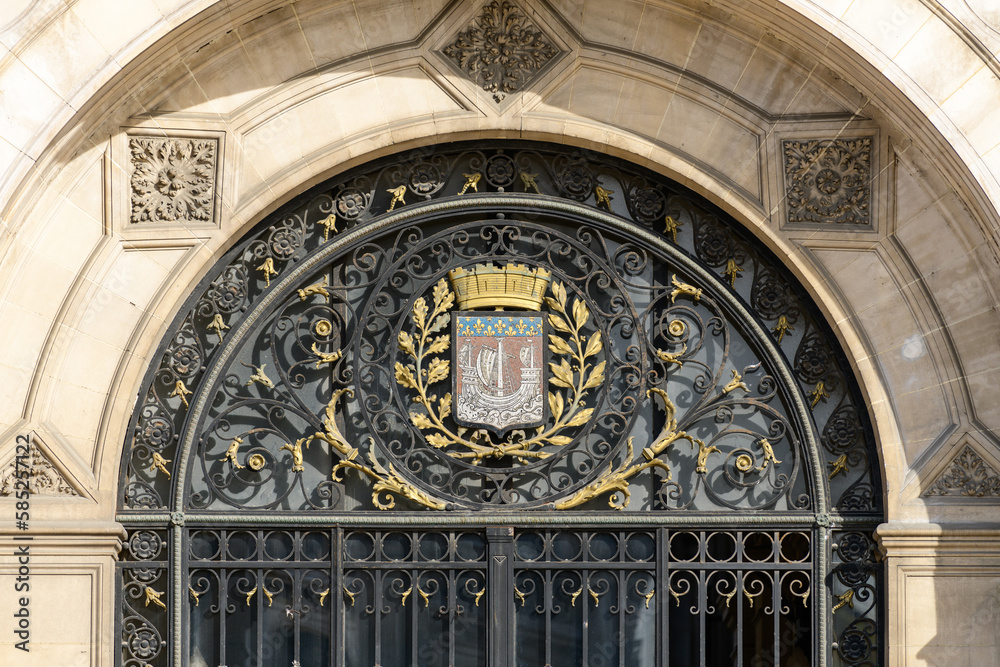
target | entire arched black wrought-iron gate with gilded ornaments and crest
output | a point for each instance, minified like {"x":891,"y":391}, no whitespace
{"x":316,"y":379}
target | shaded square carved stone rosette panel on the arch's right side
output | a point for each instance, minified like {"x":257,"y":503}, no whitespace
{"x":828,"y":181}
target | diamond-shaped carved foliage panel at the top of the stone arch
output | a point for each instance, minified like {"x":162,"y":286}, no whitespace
{"x":501,"y":50}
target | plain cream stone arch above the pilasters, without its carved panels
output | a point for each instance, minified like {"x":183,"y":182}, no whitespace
{"x":85,"y":298}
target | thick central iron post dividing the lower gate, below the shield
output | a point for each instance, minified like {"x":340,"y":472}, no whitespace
{"x":500,"y":552}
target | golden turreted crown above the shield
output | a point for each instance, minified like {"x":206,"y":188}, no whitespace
{"x":489,"y":286}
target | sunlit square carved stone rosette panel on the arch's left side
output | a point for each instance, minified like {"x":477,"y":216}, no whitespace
{"x":173,"y":179}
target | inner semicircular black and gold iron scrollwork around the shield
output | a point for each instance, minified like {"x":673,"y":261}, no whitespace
{"x":645,"y":372}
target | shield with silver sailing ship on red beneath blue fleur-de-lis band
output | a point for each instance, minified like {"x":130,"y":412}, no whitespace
{"x":500,"y":359}
